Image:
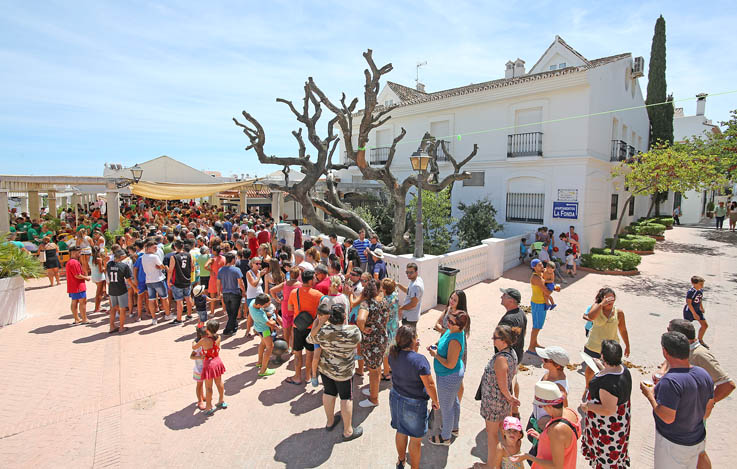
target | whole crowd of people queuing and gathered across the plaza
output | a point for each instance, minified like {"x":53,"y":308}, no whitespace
{"x":332,"y":306}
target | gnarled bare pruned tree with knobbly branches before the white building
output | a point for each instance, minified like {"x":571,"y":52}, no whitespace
{"x":371,"y":117}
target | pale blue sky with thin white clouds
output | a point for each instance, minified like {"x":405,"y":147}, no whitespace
{"x":84,"y":83}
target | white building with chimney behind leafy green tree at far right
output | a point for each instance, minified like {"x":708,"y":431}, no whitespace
{"x":693,"y":203}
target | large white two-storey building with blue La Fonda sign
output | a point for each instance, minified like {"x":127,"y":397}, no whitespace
{"x":547,"y":139}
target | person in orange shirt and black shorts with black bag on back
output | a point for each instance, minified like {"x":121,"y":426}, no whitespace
{"x":303,"y":303}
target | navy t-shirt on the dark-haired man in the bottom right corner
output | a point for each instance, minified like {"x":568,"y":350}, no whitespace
{"x":685,"y":390}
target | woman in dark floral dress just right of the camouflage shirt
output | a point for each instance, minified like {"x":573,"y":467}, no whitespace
{"x":373,"y":314}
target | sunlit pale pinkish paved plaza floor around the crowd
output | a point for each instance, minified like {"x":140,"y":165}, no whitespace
{"x":75,"y":396}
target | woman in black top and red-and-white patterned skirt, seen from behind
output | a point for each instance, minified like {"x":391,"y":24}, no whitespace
{"x":606,"y":428}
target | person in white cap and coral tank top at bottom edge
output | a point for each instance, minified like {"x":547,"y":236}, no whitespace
{"x":558,"y":443}
